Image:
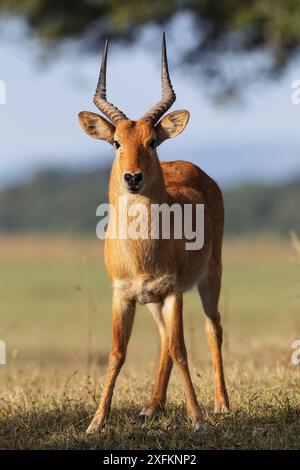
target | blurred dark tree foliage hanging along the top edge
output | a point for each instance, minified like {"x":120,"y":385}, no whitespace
{"x":266,"y":31}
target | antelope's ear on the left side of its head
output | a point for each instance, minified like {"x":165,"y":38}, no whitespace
{"x":96,"y":126}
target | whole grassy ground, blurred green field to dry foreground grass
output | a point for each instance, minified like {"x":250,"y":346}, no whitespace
{"x":55,"y":320}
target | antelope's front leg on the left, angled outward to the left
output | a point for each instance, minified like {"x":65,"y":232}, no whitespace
{"x":123,"y":315}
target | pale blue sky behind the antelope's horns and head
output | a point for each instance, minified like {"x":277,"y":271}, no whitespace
{"x":39,"y":122}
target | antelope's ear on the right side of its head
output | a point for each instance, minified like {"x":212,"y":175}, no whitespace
{"x":171,"y":125}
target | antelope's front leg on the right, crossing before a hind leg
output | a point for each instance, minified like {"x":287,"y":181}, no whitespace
{"x":172,"y":313}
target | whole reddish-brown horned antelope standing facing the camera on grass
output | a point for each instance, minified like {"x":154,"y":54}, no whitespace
{"x":158,"y":272}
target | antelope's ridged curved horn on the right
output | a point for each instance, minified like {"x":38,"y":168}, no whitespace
{"x":168,"y":94}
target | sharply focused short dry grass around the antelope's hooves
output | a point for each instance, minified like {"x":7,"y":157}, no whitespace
{"x":39,"y":411}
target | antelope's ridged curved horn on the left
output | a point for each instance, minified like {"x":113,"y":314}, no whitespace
{"x":107,"y":108}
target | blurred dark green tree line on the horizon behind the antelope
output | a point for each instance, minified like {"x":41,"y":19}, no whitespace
{"x":71,"y":197}
